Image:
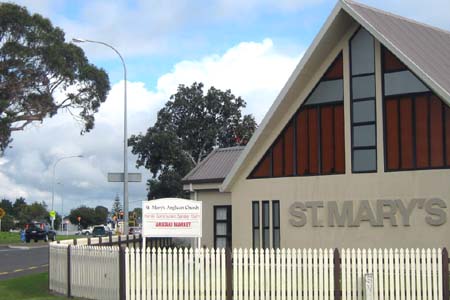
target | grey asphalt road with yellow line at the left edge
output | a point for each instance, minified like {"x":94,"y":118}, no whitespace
{"x":16,"y":262}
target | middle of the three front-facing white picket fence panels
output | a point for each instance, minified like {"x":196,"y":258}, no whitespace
{"x":283,"y":274}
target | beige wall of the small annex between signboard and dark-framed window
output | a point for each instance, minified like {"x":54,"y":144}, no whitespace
{"x":210,"y":198}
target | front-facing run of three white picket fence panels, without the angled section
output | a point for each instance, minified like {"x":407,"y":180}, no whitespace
{"x":308,"y":274}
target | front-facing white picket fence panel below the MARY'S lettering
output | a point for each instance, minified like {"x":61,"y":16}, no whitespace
{"x":400,"y":274}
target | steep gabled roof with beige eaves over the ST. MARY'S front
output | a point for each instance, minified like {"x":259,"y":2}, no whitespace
{"x":422,"y":48}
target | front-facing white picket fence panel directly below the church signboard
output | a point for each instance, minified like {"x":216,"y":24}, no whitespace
{"x":175,"y":274}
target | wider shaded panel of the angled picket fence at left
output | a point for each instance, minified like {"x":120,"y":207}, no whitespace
{"x":95,"y":272}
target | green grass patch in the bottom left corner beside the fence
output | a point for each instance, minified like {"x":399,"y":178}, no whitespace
{"x":27,"y":287}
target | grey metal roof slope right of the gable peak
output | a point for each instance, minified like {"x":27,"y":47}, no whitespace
{"x":426,"y":47}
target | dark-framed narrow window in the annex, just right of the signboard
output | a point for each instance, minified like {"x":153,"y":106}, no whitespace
{"x":222,"y":226}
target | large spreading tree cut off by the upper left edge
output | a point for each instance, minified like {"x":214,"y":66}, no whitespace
{"x":35,"y":64}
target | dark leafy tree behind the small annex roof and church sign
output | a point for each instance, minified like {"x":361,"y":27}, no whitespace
{"x":189,"y":126}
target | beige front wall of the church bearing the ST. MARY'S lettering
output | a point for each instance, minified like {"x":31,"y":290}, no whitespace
{"x":348,"y":187}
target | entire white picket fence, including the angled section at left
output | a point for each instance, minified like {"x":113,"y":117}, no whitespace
{"x":286,"y":274}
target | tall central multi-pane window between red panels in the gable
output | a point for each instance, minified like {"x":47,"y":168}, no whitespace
{"x":364,"y":141}
